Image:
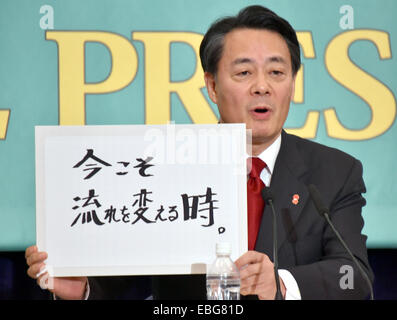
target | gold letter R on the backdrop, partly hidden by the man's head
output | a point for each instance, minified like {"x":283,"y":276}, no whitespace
{"x":158,"y":86}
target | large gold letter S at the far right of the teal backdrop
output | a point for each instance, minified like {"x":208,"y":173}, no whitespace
{"x":378,"y":97}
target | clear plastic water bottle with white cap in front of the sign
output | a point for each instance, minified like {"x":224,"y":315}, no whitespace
{"x":223,"y":277}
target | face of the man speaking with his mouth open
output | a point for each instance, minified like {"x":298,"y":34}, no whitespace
{"x":254,"y":83}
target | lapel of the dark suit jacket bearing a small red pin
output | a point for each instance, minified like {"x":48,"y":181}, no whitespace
{"x":286,"y":182}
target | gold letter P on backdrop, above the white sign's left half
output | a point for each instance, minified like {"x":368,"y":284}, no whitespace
{"x":72,"y":85}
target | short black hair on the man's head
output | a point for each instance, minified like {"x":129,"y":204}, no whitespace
{"x":252,"y":17}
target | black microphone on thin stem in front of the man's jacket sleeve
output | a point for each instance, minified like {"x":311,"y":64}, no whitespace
{"x":324,"y":212}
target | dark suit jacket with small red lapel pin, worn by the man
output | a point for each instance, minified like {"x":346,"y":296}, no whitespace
{"x":307,"y":247}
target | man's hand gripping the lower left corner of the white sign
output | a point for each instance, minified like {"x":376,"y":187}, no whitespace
{"x":68,"y":288}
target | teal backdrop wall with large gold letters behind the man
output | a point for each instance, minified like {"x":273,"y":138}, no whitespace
{"x":136,"y":62}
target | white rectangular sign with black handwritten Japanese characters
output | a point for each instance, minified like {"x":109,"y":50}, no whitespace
{"x":139,"y":199}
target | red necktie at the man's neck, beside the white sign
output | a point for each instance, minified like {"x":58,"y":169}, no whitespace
{"x":254,"y":200}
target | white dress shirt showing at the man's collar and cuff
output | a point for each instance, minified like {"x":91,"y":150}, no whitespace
{"x":269,"y":156}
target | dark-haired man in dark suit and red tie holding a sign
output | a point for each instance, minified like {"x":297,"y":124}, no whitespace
{"x":250,"y":63}
